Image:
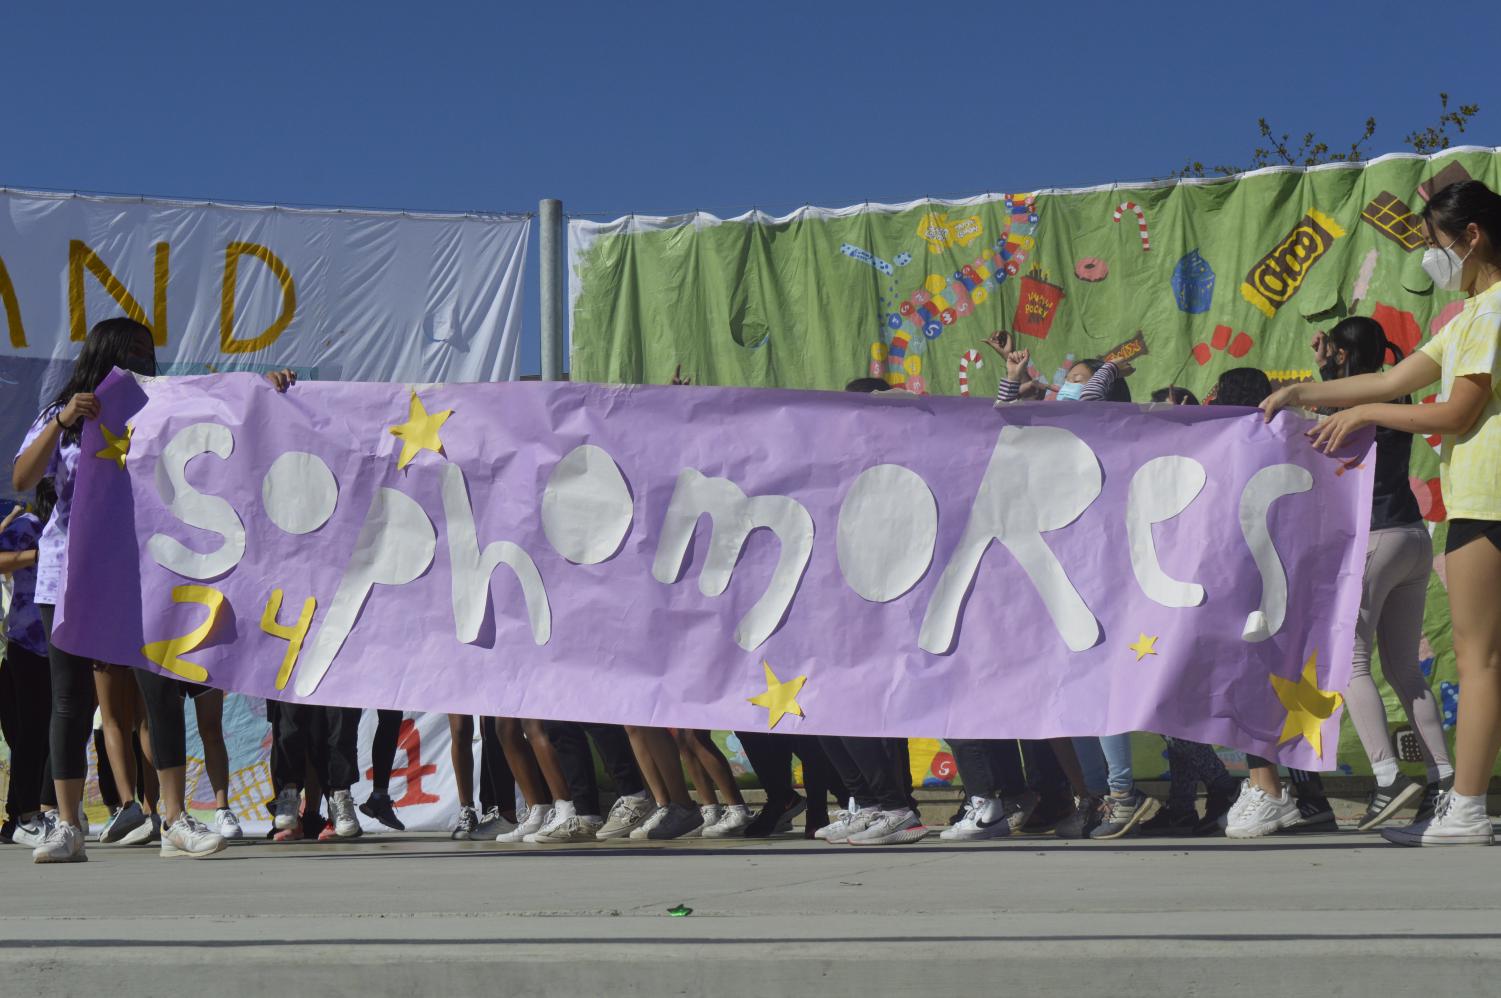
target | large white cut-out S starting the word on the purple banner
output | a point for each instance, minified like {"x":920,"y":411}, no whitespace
{"x":196,"y":510}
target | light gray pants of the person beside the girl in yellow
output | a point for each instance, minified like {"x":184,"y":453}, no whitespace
{"x":1398,"y":565}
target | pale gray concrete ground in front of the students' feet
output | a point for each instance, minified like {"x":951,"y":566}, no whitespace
{"x":421,"y":916}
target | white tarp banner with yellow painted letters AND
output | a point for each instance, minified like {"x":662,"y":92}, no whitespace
{"x":335,"y":295}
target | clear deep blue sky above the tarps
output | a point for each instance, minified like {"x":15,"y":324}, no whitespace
{"x":667,"y":107}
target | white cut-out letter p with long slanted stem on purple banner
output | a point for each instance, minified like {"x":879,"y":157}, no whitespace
{"x":396,"y":547}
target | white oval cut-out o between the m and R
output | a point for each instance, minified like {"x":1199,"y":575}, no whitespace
{"x":888,"y":532}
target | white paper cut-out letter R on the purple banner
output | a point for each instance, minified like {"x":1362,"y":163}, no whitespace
{"x":1039,"y":479}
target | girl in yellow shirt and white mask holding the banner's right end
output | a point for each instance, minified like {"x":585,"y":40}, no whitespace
{"x":1463,"y":224}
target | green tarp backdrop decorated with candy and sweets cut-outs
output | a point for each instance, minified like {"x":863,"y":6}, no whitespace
{"x":1187,"y":280}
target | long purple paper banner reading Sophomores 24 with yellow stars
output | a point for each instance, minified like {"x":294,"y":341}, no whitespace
{"x":727,"y":559}
